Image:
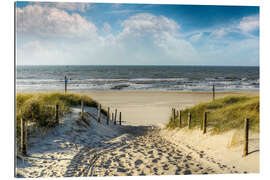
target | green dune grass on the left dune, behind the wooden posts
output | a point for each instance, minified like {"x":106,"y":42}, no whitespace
{"x":39,"y":108}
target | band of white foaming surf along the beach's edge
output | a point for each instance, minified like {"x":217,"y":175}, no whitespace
{"x":181,"y":84}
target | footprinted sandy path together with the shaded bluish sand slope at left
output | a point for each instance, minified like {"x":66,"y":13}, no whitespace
{"x":74,"y":149}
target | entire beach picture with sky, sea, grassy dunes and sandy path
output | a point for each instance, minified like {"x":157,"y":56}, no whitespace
{"x":136,"y":89}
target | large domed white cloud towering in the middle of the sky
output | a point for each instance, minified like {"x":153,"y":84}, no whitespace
{"x":157,"y":37}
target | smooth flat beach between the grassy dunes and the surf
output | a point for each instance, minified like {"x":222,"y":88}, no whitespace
{"x":154,"y":107}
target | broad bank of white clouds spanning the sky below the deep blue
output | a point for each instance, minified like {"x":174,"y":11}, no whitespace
{"x":54,"y":33}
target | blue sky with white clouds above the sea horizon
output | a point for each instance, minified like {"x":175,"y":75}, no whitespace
{"x":59,"y":33}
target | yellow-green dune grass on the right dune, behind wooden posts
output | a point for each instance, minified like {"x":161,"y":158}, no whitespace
{"x":224,"y":114}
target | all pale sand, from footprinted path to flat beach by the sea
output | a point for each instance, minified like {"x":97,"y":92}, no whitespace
{"x":140,"y":147}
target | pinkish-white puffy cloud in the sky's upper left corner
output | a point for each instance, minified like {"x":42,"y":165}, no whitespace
{"x":53,"y":22}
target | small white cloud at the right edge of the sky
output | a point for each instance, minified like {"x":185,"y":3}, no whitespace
{"x":249,"y":23}
